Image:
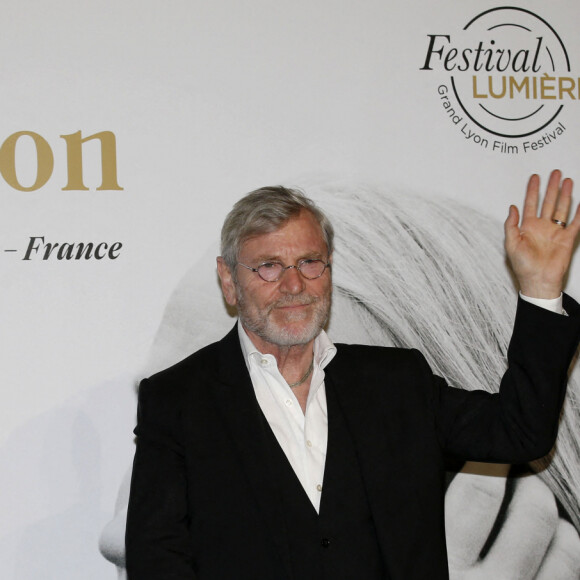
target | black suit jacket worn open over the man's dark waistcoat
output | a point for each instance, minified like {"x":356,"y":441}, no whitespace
{"x":204,"y":505}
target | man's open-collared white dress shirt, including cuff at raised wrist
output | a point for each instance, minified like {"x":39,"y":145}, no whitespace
{"x":304,"y":436}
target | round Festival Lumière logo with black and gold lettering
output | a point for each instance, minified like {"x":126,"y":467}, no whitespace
{"x":509,"y":80}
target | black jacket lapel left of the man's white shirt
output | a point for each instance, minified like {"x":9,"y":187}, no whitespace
{"x":248,"y":430}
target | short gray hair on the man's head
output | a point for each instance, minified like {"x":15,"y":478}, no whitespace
{"x":263,"y":211}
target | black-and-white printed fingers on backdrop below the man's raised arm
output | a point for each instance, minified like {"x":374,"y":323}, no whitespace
{"x":533,"y":542}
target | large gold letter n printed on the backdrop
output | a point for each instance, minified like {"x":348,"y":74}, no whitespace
{"x":74,"y":152}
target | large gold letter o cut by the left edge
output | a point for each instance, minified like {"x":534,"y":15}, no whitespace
{"x":44,"y":160}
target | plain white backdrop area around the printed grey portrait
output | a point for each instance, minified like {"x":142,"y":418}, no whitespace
{"x":206,"y":102}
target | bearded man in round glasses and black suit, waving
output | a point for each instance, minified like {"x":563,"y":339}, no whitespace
{"x":274,"y":454}
